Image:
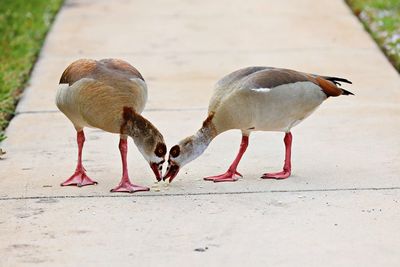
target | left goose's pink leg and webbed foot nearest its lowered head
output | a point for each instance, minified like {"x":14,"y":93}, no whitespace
{"x":125,"y":185}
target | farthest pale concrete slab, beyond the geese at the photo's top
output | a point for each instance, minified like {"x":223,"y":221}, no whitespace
{"x":185,"y":27}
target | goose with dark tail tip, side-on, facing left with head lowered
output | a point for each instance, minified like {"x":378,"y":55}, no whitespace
{"x":256,"y":99}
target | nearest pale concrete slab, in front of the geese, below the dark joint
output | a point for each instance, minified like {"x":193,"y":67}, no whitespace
{"x":355,"y":228}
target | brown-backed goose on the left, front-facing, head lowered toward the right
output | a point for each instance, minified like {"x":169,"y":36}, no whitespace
{"x":109,"y":94}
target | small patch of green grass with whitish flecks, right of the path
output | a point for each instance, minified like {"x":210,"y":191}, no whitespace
{"x":381,"y":18}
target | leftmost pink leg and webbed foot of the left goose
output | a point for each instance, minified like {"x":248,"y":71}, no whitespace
{"x":79,"y":178}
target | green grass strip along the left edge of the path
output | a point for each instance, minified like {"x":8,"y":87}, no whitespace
{"x":23,"y":26}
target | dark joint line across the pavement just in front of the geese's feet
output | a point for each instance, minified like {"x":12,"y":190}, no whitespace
{"x":203,"y":193}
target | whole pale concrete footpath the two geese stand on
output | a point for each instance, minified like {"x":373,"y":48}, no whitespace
{"x":341,"y":207}
